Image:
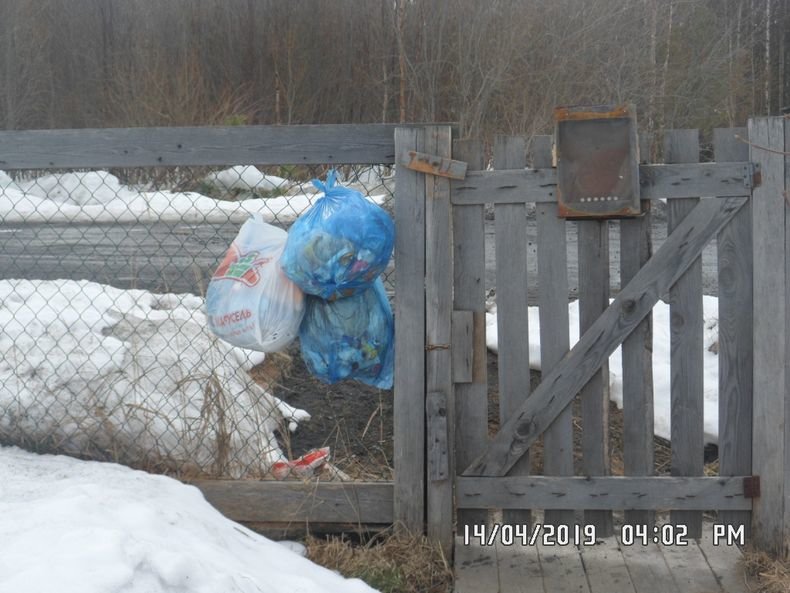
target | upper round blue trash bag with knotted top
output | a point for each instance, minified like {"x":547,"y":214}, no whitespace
{"x":339,"y":246}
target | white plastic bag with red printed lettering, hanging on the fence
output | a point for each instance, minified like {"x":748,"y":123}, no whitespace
{"x":250,"y":303}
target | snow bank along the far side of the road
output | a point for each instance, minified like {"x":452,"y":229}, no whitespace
{"x":98,"y":196}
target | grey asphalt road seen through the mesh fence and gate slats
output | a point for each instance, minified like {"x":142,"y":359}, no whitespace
{"x":166,"y":257}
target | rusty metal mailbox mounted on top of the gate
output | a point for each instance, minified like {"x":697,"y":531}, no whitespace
{"x":597,"y":161}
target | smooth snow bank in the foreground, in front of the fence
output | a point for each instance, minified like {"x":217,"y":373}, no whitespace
{"x":74,"y":526}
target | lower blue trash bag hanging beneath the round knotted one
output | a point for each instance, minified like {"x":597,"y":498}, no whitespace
{"x":350,"y":338}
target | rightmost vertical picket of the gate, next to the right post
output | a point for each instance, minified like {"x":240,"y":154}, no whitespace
{"x":735,"y":331}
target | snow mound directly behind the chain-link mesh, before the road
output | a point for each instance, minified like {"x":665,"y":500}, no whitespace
{"x":132,"y":376}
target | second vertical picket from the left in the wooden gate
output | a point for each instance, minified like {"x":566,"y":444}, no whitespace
{"x":511,"y":241}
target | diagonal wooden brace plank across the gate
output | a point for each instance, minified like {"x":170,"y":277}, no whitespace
{"x":623,"y":315}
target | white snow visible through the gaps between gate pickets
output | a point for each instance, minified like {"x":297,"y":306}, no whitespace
{"x":661,"y":358}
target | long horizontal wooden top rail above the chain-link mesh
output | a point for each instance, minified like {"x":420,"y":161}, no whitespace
{"x":215,"y":145}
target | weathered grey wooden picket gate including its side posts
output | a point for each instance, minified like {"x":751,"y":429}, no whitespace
{"x":441,"y":385}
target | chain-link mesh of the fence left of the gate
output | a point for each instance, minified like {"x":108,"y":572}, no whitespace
{"x":104,"y":349}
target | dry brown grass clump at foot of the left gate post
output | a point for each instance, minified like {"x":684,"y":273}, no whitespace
{"x":393,"y":561}
